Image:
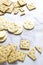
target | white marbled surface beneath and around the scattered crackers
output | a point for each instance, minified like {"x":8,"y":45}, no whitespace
{"x":35,"y":36}
